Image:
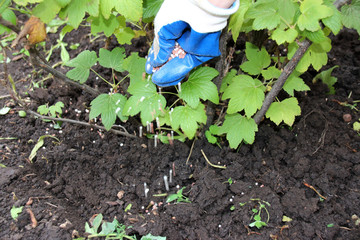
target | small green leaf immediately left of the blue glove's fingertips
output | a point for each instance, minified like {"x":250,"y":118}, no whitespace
{"x":135,"y":66}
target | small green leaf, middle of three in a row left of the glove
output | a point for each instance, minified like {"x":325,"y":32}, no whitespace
{"x":113,"y":59}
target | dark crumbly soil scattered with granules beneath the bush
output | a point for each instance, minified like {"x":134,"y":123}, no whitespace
{"x":82,"y":175}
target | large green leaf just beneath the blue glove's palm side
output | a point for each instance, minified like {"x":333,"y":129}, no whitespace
{"x":198,"y":86}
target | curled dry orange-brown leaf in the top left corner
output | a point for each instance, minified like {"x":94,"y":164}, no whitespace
{"x":35,"y":28}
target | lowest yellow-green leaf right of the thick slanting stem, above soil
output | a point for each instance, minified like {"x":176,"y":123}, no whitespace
{"x":285,"y":110}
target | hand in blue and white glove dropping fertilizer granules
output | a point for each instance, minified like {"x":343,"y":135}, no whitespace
{"x":196,"y":26}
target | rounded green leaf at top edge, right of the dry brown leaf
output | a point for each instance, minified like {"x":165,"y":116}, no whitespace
{"x":47,"y":10}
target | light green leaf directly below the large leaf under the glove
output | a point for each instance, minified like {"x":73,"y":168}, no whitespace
{"x":188,"y":118}
